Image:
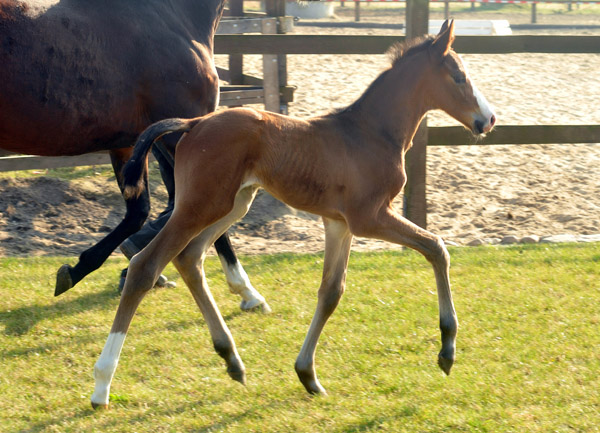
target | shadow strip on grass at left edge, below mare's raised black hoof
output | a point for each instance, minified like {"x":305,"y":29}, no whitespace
{"x":19,"y":321}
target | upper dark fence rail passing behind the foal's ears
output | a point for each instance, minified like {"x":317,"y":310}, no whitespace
{"x":354,"y":44}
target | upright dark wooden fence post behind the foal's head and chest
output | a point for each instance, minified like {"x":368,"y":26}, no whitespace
{"x":415,"y":198}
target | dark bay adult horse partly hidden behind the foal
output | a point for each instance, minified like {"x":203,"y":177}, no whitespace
{"x":80,"y":76}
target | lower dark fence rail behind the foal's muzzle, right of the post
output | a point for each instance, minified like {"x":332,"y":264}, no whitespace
{"x":516,"y":134}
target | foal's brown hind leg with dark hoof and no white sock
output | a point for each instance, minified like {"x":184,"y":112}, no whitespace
{"x":190,"y":263}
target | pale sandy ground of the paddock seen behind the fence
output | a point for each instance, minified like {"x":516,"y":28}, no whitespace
{"x":474,"y":192}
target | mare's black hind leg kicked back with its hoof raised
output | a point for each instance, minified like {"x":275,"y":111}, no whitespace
{"x":92,"y":258}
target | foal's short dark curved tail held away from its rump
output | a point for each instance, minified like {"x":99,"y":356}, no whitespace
{"x":135,"y":171}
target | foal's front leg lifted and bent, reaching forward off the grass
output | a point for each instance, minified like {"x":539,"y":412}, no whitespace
{"x":394,"y":228}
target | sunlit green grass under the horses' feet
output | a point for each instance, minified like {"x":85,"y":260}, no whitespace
{"x":527,"y":361}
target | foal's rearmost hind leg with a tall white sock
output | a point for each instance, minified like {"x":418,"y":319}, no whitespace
{"x":144,"y":270}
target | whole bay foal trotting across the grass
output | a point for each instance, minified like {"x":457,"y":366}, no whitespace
{"x":347,"y":167}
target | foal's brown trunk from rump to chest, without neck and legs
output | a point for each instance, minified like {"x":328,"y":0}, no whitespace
{"x":316,"y":165}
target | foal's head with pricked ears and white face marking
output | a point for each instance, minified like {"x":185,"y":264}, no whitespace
{"x":452,"y":90}
